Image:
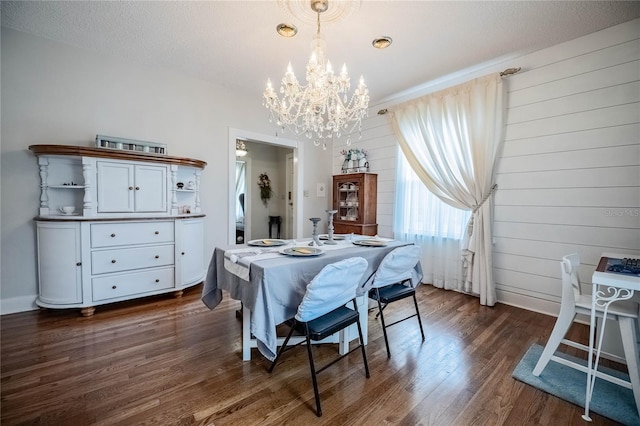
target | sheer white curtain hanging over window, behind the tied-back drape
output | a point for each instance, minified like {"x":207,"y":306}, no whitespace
{"x":438,"y":228}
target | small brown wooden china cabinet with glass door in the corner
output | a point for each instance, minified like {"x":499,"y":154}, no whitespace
{"x":355,"y":197}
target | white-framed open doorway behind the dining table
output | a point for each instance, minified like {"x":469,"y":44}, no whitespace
{"x":292,"y":193}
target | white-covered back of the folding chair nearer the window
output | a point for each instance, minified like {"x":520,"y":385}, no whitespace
{"x":397,"y":266}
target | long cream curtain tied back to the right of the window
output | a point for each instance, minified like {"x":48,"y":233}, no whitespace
{"x":452,"y":140}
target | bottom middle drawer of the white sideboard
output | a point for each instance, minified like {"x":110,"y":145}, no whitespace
{"x":113,"y":286}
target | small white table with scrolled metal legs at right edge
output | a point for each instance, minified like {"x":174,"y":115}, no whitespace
{"x":616,"y":278}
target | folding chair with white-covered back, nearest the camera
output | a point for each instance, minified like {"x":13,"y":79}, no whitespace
{"x":323,"y":312}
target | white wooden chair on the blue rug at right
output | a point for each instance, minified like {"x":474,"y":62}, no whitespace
{"x":574,"y":302}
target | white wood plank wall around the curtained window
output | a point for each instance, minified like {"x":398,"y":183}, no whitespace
{"x":569,"y":174}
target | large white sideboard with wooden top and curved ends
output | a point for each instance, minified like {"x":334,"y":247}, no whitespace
{"x":138,"y":229}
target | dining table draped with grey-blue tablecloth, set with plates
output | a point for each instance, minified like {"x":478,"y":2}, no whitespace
{"x":271,"y":279}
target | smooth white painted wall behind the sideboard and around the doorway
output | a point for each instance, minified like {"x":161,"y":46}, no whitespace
{"x":56,"y":94}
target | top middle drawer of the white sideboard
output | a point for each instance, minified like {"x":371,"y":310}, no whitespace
{"x":121,"y":234}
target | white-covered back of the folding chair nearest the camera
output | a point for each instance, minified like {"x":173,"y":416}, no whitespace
{"x":334,"y":286}
